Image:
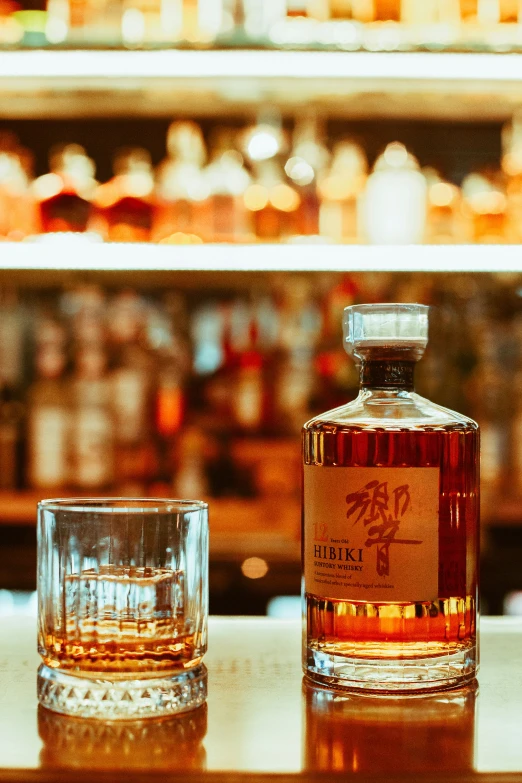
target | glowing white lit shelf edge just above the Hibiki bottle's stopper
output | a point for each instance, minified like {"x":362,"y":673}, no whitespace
{"x":76,"y":254}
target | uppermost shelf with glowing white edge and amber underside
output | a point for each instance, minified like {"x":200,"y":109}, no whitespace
{"x":101,"y":83}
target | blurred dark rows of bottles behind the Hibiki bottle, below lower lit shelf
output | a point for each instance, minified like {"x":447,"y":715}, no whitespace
{"x":171,"y":392}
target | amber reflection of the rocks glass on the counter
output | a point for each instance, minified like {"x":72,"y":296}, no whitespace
{"x":169,"y":745}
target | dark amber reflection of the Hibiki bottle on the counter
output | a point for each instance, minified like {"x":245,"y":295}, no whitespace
{"x":346,"y":732}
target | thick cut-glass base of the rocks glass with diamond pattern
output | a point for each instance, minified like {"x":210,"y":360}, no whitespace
{"x":108,"y":699}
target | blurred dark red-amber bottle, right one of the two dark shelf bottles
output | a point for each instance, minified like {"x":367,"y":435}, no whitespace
{"x":125,"y":204}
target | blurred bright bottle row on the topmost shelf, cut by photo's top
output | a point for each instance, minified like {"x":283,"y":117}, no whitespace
{"x":350,"y":24}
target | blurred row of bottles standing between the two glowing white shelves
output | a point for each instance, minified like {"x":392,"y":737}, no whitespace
{"x":261,"y":183}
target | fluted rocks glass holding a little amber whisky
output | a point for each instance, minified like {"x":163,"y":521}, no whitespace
{"x":122,"y":606}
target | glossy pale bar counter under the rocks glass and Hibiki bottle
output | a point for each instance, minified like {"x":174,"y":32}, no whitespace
{"x":261,"y":722}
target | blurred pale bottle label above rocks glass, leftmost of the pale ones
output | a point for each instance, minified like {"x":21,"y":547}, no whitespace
{"x":49,"y":432}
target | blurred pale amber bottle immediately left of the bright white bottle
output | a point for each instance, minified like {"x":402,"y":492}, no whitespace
{"x":340,"y":189}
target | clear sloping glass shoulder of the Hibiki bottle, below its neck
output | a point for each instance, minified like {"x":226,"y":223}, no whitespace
{"x":405,"y":411}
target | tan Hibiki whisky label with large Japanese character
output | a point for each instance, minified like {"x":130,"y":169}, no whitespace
{"x":371,"y":534}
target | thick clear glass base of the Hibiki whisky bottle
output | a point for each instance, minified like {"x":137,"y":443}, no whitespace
{"x":385,"y":675}
